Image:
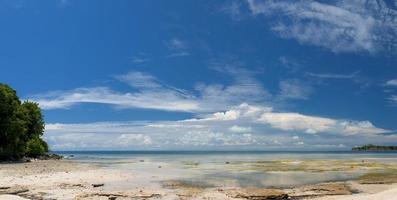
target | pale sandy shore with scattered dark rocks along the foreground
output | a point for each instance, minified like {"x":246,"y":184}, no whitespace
{"x":62,"y":179}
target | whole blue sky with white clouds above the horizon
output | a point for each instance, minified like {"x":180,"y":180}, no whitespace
{"x":267,"y":75}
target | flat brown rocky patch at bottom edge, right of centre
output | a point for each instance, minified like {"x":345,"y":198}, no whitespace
{"x":257,"y":194}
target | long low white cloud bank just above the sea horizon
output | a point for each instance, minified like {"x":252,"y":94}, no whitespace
{"x":244,"y":126}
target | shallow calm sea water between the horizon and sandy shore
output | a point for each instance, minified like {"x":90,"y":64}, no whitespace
{"x":242,"y":168}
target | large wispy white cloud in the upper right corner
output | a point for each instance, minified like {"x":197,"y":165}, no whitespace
{"x":339,"y":25}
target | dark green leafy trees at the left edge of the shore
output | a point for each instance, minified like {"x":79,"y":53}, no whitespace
{"x":21,"y":126}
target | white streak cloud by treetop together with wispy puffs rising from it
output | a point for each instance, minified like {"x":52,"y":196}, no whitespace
{"x":150,"y":93}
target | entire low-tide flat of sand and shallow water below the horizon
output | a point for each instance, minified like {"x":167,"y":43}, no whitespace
{"x":203,"y":176}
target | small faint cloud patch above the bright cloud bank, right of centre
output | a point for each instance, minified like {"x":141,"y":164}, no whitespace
{"x":294,"y":89}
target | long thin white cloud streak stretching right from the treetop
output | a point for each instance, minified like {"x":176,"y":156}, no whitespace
{"x":170,"y":100}
